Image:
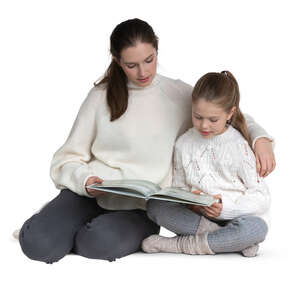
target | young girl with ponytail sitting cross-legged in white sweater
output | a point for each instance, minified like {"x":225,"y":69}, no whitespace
{"x":214,"y":157}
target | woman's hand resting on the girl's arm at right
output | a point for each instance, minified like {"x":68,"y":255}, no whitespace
{"x":265,"y":159}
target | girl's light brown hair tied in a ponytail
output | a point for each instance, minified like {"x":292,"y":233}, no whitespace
{"x":222,"y":90}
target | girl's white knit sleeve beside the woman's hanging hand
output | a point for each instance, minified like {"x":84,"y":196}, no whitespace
{"x":255,"y":199}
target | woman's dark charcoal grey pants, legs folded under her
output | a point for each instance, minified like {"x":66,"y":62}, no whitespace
{"x":72,"y":223}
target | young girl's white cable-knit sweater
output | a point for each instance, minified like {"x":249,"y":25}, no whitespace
{"x":223,"y":164}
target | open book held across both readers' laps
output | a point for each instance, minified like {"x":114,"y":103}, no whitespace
{"x":148,"y":190}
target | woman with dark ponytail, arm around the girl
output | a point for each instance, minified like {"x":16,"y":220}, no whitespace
{"x":126,"y":128}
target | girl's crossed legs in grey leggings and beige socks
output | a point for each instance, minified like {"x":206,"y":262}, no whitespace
{"x":198,"y":235}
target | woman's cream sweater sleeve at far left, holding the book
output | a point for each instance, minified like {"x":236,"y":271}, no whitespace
{"x":69,"y":166}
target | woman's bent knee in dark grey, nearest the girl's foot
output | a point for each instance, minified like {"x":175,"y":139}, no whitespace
{"x":114,"y":235}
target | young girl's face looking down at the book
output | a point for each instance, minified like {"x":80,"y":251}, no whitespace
{"x":208,"y":118}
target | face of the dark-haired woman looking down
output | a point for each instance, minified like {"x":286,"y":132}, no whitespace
{"x":139,"y":63}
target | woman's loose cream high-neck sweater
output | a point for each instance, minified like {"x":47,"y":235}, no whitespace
{"x":138,"y":145}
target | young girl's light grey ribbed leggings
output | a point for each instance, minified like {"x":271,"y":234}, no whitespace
{"x":234,"y":236}
